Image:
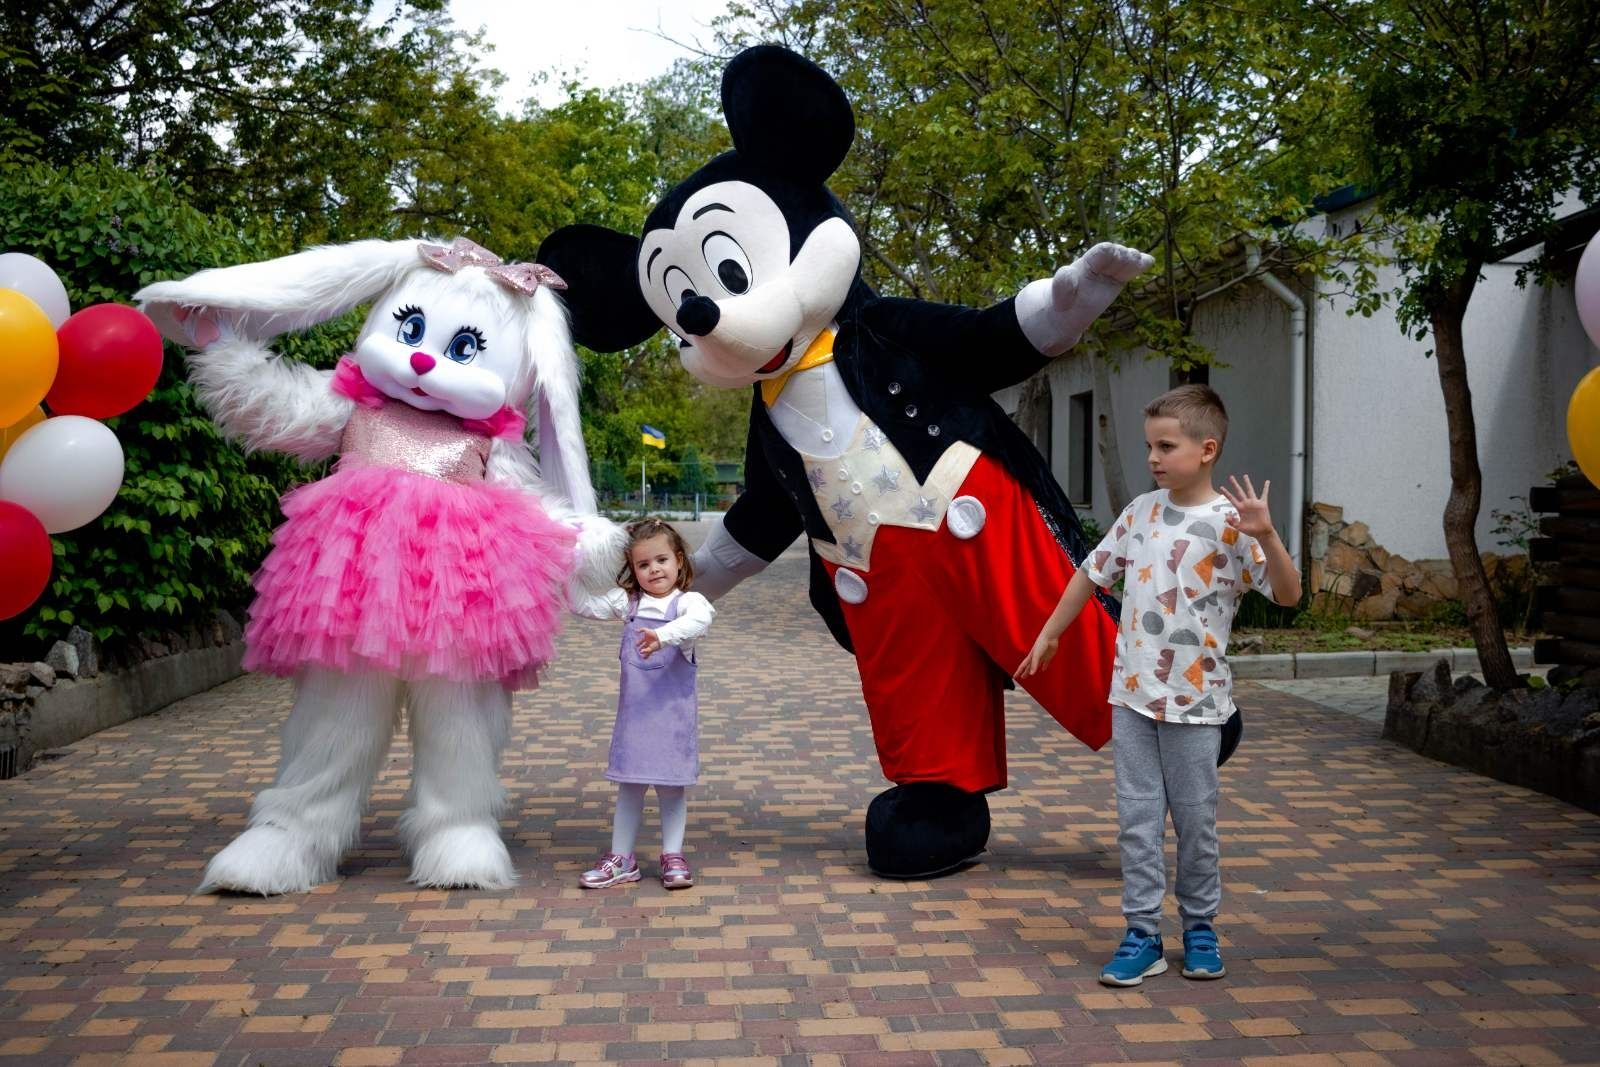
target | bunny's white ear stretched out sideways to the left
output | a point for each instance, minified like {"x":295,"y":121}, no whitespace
{"x":274,"y":297}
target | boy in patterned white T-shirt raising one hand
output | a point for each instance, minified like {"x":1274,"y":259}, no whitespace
{"x":1188,"y":556}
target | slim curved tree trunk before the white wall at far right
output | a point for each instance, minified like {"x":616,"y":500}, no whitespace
{"x":1466,"y":484}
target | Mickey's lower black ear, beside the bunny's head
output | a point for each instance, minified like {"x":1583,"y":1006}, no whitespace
{"x":602,"y":297}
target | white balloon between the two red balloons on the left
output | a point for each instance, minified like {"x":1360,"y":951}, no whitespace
{"x":66,"y":471}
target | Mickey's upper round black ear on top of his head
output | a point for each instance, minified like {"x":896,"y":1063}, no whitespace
{"x":785,"y":113}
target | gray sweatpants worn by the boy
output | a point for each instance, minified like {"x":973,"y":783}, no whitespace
{"x":1167,"y":767}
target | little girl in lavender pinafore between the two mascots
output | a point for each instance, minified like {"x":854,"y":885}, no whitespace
{"x":657,"y":735}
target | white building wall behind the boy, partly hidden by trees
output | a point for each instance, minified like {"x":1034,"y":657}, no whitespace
{"x":1377,"y":434}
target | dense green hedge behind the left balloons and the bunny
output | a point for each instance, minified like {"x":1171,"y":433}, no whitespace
{"x":194,"y":514}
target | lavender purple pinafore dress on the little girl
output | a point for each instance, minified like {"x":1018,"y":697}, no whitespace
{"x":657,"y":735}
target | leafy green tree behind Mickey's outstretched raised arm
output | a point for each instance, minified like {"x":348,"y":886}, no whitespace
{"x":998,"y":142}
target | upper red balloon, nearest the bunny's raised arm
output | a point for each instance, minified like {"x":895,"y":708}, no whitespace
{"x":111,"y":358}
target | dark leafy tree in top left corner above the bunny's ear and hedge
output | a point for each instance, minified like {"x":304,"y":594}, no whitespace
{"x":313,"y":113}
